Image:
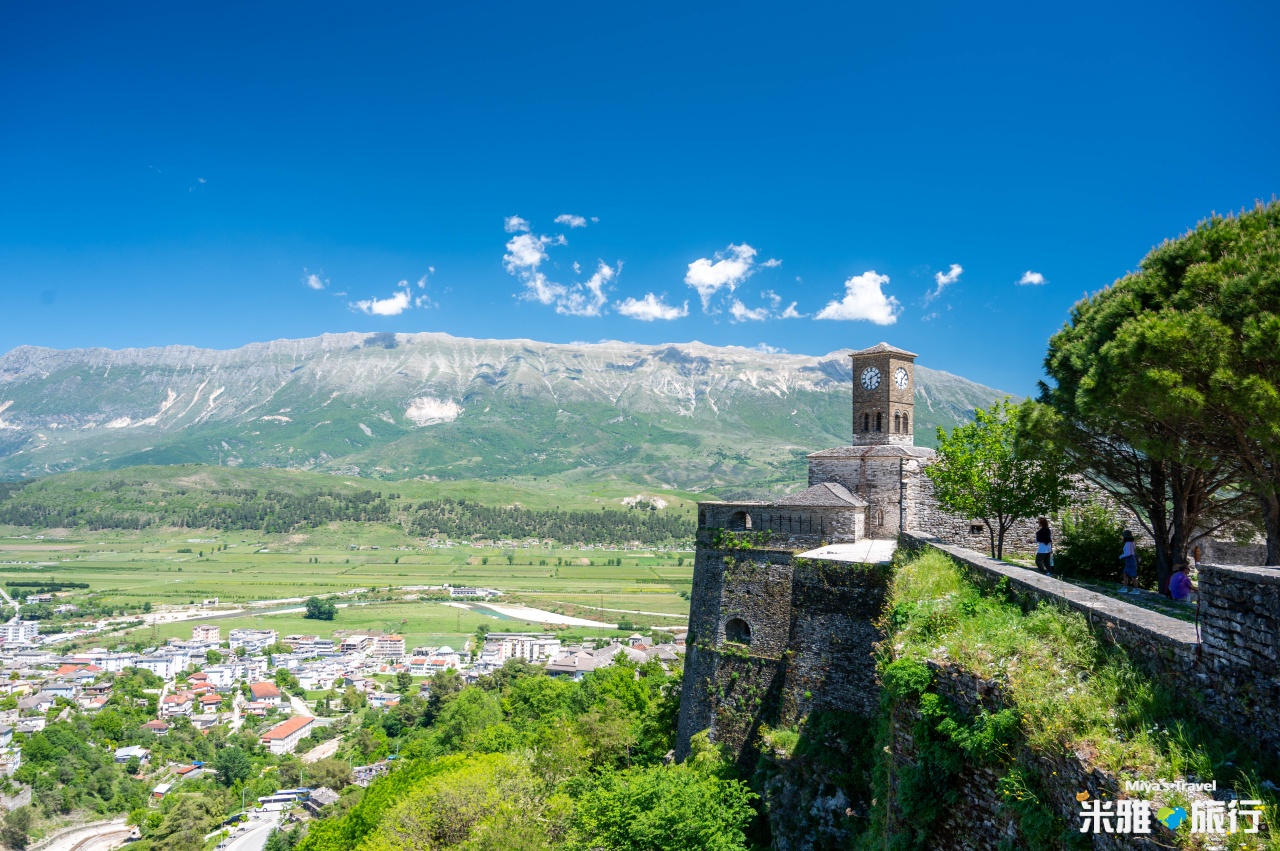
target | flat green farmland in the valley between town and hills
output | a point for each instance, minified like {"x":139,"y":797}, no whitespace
{"x":126,"y":570}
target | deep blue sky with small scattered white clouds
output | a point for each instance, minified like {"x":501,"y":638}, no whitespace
{"x":757,"y":175}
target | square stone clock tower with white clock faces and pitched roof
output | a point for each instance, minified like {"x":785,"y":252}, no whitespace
{"x":884,"y":396}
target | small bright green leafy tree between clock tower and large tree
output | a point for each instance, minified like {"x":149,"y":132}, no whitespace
{"x":989,"y":472}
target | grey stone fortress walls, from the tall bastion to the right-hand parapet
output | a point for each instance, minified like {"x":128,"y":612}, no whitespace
{"x":775,"y":635}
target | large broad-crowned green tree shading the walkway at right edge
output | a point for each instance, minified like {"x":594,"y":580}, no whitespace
{"x":1167,"y":385}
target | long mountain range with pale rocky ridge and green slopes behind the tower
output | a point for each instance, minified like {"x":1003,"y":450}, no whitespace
{"x":401,"y":406}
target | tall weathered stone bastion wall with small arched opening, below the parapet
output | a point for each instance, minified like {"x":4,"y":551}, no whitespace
{"x":811,"y":647}
